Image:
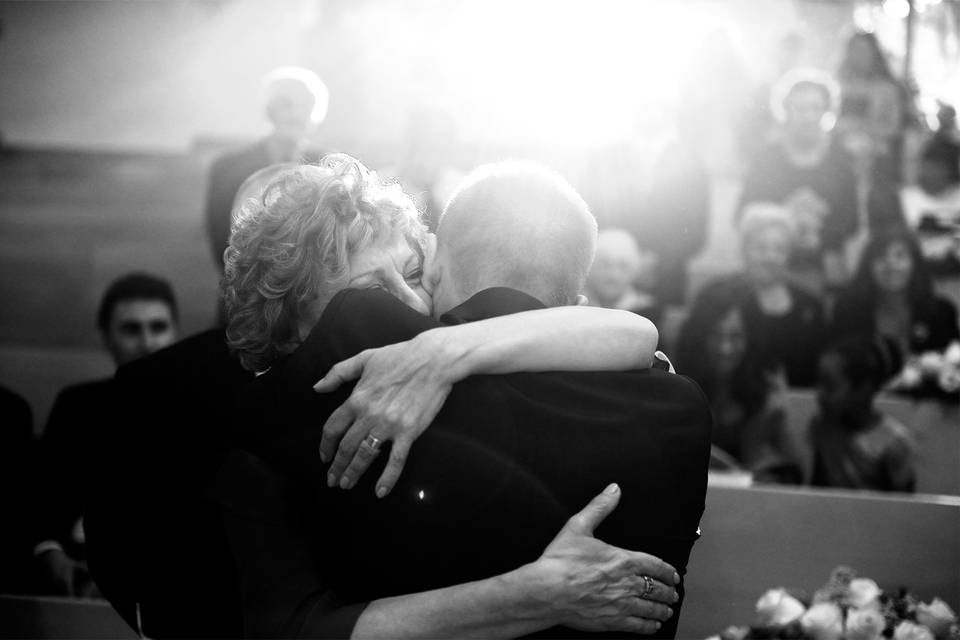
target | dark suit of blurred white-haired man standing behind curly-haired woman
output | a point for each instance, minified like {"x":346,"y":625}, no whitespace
{"x":227,"y":174}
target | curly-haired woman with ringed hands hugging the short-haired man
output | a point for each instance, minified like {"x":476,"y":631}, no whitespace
{"x":316,"y":231}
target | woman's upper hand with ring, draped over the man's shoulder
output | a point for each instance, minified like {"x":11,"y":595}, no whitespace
{"x":401,"y":389}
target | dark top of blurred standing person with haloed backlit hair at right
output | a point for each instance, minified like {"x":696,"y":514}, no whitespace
{"x":774,"y":178}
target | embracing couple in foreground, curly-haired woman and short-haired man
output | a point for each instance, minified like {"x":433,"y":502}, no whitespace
{"x":442,"y":494}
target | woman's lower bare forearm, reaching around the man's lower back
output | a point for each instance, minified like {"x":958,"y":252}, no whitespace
{"x":499,"y":607}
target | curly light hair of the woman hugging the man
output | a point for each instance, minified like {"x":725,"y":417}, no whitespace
{"x":290,"y":248}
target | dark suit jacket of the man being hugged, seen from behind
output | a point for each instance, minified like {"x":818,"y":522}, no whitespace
{"x":485,"y":489}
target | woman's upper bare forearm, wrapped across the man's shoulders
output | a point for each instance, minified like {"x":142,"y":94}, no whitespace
{"x":557,"y":339}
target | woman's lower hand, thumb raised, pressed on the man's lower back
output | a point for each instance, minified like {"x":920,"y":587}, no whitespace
{"x":593,"y":586}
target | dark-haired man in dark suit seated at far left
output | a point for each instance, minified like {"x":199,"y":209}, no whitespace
{"x":137,"y":316}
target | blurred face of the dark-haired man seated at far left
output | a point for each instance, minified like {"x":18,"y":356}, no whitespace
{"x":138,"y":328}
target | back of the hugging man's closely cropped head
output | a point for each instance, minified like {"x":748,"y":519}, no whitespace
{"x":518,"y":225}
